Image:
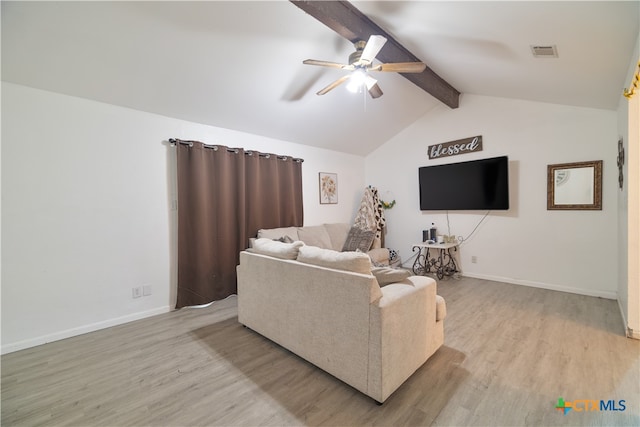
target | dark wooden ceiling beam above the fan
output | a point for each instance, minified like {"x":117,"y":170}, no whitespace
{"x":343,"y":18}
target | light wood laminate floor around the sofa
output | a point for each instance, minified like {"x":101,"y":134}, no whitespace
{"x":510,"y":352}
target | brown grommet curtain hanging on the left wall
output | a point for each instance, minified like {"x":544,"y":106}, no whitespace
{"x":225,"y":195}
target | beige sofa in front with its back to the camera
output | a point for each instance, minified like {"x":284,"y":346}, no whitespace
{"x":328,"y":308}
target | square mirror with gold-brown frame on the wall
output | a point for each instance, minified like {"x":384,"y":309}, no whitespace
{"x":575,"y":186}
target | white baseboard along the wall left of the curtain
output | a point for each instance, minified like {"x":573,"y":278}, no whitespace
{"x":56,"y":336}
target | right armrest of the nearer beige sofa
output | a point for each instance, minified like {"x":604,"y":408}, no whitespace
{"x":401,"y":322}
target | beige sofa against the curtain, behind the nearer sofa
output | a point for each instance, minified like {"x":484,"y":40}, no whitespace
{"x":328,"y":236}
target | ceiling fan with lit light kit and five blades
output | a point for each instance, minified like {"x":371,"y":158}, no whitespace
{"x":361,"y":62}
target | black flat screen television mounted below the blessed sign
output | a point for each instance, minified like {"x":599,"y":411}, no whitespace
{"x":475,"y":185}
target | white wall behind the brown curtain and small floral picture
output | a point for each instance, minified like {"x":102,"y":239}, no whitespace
{"x":86,"y":210}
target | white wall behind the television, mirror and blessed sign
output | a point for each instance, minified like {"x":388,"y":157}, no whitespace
{"x":574,"y":251}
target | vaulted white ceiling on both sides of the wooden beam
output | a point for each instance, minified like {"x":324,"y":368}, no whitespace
{"x":238,"y":65}
